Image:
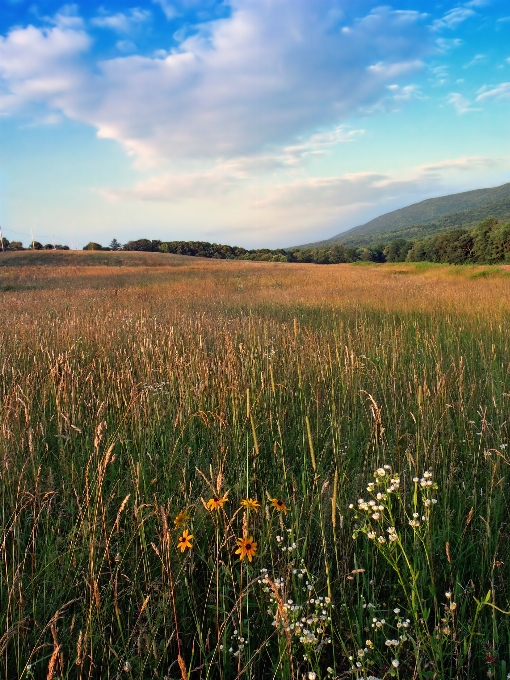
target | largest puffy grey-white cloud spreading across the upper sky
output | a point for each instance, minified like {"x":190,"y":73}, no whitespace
{"x":257,"y":79}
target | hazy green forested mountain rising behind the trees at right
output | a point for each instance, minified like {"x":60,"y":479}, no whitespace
{"x":426,"y":218}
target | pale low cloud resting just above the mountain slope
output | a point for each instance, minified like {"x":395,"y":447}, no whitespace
{"x":332,"y":204}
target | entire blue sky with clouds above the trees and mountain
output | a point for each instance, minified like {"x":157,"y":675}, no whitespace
{"x":260,"y":123}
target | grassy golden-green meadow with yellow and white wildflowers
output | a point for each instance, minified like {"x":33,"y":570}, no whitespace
{"x":225,"y":469}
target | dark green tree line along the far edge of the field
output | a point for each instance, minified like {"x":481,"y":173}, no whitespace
{"x":486,"y":243}
